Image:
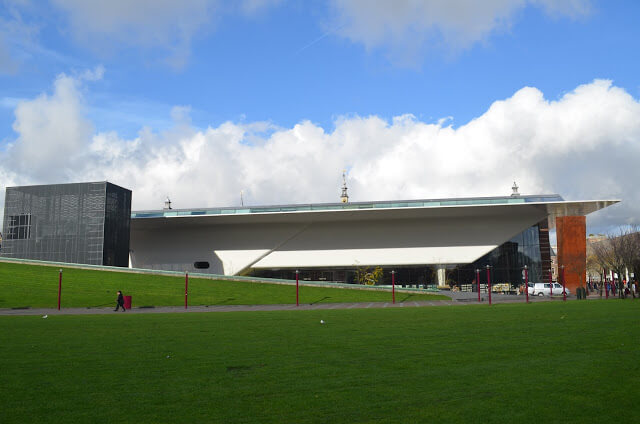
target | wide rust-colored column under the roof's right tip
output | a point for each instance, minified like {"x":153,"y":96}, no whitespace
{"x":571,"y":232}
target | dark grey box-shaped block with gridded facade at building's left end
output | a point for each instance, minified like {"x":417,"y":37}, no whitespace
{"x":85,"y":223}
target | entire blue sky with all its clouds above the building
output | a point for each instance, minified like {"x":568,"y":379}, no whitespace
{"x":200,"y":100}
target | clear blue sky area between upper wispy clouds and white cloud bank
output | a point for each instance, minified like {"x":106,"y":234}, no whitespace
{"x":257,"y":68}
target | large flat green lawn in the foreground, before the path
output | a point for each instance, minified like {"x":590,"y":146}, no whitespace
{"x":571,"y":362}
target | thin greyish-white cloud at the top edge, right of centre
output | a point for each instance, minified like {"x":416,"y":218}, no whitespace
{"x":407,"y":28}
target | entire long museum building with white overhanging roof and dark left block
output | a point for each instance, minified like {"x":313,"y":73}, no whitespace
{"x":432,"y":241}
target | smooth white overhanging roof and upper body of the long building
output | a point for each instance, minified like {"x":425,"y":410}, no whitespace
{"x":442,"y":231}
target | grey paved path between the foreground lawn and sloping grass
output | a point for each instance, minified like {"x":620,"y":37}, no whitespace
{"x":457,"y":299}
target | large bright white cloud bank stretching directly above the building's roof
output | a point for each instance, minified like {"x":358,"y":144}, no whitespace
{"x":584,"y":145}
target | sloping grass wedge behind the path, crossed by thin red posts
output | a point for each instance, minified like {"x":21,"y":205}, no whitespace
{"x":36,"y":286}
